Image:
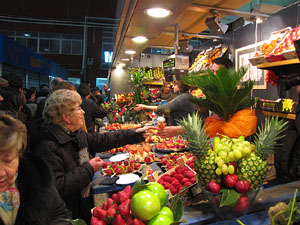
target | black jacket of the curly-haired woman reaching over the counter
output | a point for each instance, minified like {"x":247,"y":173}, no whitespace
{"x":61,"y":149}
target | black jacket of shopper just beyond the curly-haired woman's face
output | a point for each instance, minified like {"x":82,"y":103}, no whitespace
{"x":92,"y":111}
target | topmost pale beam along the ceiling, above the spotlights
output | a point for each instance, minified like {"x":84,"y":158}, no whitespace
{"x":233,"y":12}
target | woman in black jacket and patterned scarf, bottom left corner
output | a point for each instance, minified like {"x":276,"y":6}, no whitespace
{"x":27,"y":191}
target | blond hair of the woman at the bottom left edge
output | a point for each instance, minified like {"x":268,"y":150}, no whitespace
{"x":13,"y":134}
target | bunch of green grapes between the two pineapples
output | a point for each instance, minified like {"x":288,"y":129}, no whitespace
{"x":228,"y":151}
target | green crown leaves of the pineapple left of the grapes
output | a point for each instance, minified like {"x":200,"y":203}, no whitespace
{"x":195,"y":134}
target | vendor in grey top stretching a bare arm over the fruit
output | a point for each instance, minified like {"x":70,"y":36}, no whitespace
{"x":180,"y":107}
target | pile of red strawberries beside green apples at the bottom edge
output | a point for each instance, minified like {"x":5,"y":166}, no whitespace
{"x":116,"y":210}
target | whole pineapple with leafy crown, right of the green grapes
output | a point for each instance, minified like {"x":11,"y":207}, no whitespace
{"x":254,"y":166}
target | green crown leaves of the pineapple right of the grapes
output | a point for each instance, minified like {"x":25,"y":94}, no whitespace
{"x":267,"y":136}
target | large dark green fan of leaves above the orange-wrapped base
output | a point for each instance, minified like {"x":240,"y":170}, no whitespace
{"x":223,"y":94}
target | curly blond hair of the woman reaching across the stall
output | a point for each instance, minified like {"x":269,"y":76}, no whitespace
{"x":59,"y":102}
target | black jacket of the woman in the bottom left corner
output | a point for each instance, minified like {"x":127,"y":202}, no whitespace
{"x":40,"y":201}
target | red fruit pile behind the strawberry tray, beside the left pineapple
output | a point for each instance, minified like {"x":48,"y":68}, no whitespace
{"x":170,"y":161}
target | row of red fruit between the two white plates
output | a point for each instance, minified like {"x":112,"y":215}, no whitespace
{"x":110,"y":168}
